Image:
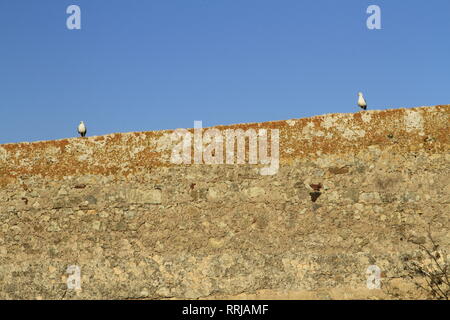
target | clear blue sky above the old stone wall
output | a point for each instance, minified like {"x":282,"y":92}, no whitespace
{"x":140,"y":65}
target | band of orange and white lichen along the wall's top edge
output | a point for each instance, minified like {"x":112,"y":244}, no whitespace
{"x":401,"y":130}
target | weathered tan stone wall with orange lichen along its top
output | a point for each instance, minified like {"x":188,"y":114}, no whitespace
{"x":352,"y":190}
